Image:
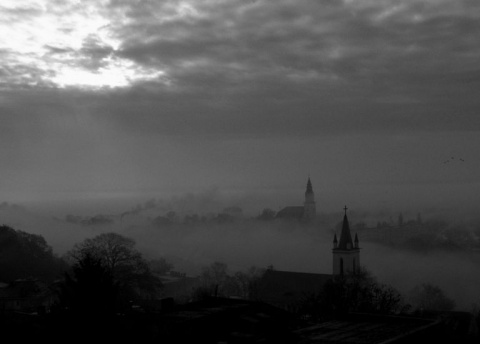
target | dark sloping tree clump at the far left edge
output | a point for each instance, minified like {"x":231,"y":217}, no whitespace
{"x":24,"y":255}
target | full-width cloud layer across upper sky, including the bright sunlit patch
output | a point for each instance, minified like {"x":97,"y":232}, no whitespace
{"x":359,"y":63}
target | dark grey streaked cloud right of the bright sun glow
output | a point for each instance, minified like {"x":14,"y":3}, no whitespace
{"x":293,"y":59}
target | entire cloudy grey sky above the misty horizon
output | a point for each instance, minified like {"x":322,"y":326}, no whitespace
{"x":376,"y":101}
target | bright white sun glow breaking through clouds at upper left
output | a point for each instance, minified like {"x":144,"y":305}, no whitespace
{"x":65,"y":43}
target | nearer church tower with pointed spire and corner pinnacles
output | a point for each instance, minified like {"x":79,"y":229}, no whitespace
{"x":346,"y":253}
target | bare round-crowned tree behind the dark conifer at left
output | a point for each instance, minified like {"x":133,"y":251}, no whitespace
{"x":118,"y":256}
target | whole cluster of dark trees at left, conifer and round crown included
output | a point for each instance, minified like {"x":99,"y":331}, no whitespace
{"x":108,"y":262}
